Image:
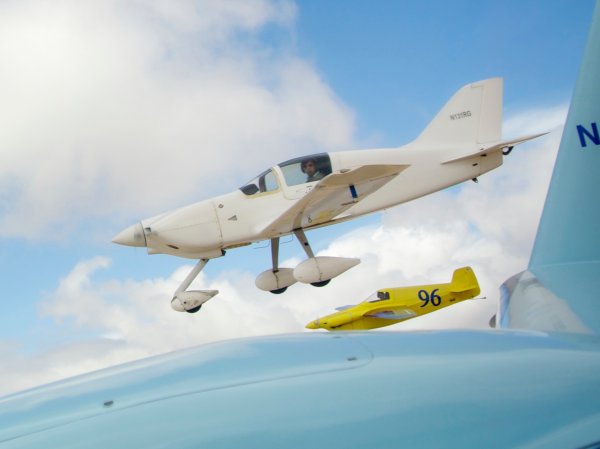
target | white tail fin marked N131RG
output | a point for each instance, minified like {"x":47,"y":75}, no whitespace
{"x":472,"y":115}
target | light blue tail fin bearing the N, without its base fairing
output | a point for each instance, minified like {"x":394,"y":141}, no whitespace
{"x":569,"y":228}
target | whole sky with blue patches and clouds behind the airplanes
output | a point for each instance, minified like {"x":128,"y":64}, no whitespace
{"x":119,"y":110}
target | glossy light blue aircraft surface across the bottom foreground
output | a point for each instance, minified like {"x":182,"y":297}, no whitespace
{"x":431,"y":389}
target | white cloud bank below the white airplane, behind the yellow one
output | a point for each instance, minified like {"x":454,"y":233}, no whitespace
{"x":489,"y":226}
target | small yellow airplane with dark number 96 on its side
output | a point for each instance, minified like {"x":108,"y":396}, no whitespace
{"x":392,"y":305}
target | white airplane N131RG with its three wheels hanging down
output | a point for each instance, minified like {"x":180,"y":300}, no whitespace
{"x":462,"y":142}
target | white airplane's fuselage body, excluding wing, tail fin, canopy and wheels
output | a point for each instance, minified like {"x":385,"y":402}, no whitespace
{"x":206,"y":228}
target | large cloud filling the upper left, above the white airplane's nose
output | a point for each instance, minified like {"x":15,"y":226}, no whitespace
{"x":118,"y":108}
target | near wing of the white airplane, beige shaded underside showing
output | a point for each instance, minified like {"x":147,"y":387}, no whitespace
{"x":333,"y":195}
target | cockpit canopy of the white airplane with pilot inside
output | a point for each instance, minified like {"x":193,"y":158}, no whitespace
{"x":296,"y":171}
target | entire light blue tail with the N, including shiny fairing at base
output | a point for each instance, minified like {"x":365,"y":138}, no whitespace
{"x":559,"y":291}
